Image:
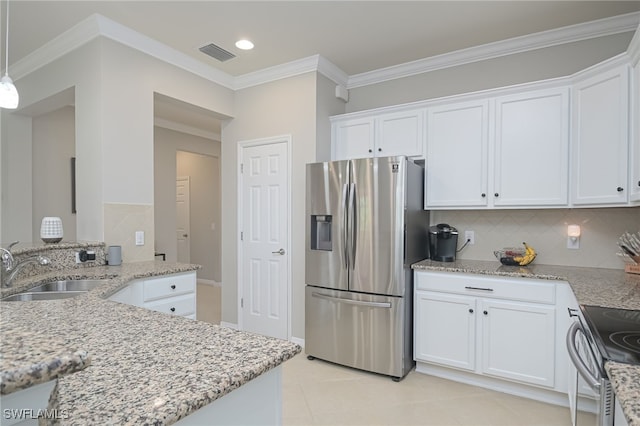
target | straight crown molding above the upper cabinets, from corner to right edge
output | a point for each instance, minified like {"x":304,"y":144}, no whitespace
{"x":569,"y":34}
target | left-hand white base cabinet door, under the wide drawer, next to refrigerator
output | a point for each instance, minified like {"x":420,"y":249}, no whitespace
{"x":444,"y":327}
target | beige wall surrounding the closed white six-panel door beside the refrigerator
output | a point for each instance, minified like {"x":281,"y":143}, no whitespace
{"x":285,"y":106}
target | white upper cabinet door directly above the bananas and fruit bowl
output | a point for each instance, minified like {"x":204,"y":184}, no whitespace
{"x":531,"y":155}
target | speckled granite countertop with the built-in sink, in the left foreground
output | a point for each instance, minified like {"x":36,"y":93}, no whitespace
{"x":144,"y":367}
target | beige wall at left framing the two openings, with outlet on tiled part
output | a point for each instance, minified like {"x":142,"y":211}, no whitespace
{"x":114,"y":91}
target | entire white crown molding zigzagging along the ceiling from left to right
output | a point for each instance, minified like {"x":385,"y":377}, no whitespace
{"x":97,"y":25}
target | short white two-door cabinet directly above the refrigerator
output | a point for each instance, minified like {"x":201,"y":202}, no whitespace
{"x":398,"y":132}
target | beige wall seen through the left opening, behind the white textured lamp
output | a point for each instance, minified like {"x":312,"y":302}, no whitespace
{"x":53,"y":136}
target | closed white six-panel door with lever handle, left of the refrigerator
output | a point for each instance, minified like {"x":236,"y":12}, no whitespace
{"x":264,"y":247}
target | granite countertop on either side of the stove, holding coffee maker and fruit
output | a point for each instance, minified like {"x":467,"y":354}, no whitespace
{"x":592,"y":286}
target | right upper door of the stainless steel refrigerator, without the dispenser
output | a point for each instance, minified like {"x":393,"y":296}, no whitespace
{"x":376,"y":208}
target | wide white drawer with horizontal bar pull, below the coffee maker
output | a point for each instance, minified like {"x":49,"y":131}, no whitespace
{"x":524,"y":289}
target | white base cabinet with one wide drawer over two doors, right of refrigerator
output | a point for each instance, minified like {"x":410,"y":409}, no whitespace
{"x":494,"y":327}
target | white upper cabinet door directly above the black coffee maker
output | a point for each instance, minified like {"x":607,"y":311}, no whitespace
{"x":456,"y":171}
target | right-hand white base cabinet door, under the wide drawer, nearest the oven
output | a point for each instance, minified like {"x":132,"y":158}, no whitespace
{"x":517,"y":341}
